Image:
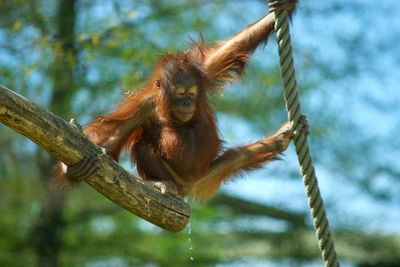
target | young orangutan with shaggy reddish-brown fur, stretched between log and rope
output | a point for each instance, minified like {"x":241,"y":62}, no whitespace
{"x":169,"y":126}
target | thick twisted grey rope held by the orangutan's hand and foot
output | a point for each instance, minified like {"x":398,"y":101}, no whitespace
{"x":326,"y":245}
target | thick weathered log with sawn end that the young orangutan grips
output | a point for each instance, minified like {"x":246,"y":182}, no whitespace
{"x":68,"y":144}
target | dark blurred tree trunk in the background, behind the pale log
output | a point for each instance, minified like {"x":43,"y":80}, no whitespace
{"x":50,"y":225}
